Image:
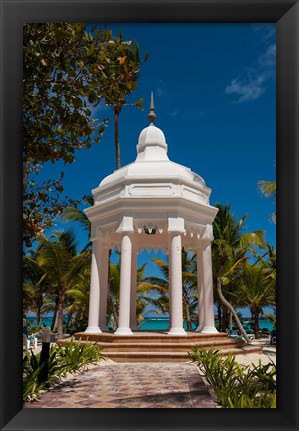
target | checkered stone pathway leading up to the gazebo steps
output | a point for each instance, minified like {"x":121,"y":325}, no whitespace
{"x":131,"y":385}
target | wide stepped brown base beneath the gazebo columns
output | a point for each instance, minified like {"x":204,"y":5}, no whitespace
{"x":160,"y":346}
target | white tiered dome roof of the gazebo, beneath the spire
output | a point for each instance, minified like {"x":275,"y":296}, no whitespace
{"x":152,"y":164}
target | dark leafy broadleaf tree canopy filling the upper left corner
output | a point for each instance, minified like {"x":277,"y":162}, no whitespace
{"x":68,"y":71}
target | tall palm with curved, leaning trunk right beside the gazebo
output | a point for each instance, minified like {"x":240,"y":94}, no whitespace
{"x":230,"y":248}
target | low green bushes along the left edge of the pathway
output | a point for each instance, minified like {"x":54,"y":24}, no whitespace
{"x":72,"y":358}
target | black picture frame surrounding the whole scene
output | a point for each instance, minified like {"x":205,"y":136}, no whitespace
{"x":285,"y":13}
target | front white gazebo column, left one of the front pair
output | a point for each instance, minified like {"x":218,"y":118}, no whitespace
{"x":125,"y":287}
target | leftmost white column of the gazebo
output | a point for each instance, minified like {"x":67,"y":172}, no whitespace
{"x":94,"y":297}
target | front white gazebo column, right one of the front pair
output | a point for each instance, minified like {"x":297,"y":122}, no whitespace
{"x":176,"y":288}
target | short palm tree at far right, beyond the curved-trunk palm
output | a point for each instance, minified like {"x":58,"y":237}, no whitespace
{"x":256,"y":291}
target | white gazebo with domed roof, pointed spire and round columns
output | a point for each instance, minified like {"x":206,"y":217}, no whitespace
{"x":152,"y":203}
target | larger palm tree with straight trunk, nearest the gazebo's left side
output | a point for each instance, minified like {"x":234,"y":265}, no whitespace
{"x":63,"y":267}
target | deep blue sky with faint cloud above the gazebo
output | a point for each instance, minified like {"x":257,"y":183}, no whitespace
{"x":215,"y":95}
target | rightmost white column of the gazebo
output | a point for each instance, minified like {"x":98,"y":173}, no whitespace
{"x":209,"y":321}
